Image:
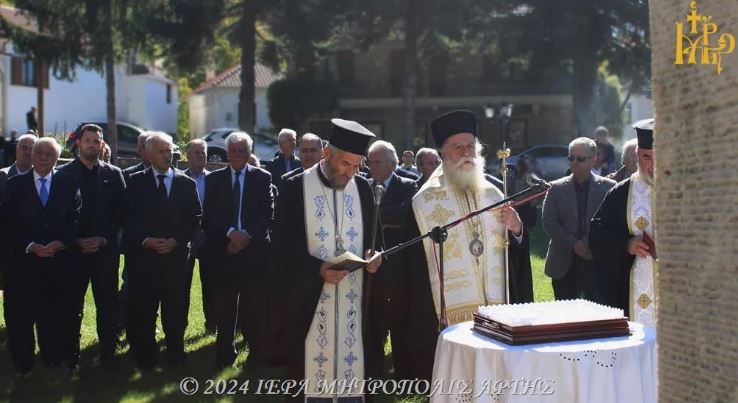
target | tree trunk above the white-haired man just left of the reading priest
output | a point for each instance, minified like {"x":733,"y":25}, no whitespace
{"x":246,"y":106}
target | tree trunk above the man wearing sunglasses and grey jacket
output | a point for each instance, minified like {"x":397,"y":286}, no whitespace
{"x":585,"y":80}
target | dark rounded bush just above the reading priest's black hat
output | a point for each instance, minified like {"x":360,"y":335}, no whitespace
{"x":292,"y":101}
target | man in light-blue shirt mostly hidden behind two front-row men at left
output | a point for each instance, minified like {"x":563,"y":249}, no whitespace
{"x":197,"y":158}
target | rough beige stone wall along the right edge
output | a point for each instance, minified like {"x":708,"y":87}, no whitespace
{"x":696,"y":210}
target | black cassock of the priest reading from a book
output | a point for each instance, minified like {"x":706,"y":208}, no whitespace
{"x":302,"y":270}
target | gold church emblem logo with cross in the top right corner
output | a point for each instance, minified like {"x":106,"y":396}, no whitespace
{"x":700,"y":37}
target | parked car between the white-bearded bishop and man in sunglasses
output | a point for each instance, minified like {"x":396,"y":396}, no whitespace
{"x":547,"y":160}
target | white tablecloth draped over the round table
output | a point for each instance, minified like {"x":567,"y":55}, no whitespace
{"x":473,"y":368}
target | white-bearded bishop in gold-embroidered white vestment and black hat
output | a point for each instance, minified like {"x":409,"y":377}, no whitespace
{"x":474,"y":253}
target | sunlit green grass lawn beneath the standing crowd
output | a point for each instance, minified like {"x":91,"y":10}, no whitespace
{"x":93,"y":384}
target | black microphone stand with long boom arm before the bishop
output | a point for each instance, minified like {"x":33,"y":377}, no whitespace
{"x":439,"y":234}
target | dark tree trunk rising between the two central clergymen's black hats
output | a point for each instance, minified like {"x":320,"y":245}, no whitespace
{"x":409,"y":86}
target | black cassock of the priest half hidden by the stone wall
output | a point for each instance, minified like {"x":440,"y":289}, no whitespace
{"x":608,"y":241}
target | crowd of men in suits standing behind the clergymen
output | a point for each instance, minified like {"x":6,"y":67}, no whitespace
{"x":72,"y":223}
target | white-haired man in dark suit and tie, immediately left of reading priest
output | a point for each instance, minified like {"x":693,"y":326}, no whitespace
{"x":239,"y":209}
